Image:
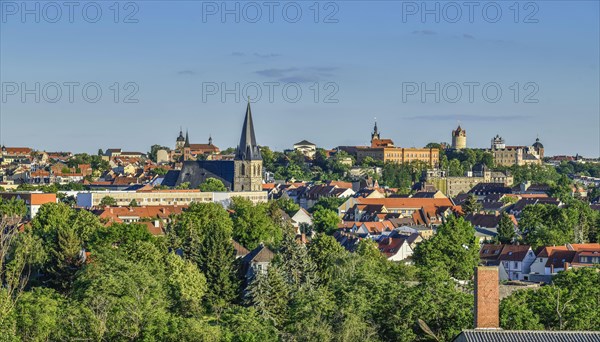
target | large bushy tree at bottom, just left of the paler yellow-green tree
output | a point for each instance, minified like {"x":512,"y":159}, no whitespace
{"x":125,"y":289}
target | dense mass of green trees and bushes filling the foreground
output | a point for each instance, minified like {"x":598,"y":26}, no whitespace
{"x":186,"y":286}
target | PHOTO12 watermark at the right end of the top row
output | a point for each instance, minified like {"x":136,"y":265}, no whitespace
{"x":518,"y":12}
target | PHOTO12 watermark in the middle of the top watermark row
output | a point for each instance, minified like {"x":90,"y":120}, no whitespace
{"x":270,"y":12}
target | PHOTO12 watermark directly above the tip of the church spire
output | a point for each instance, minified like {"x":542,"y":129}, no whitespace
{"x":272,"y":92}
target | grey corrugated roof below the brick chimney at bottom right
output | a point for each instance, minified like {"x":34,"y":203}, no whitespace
{"x":528,"y":336}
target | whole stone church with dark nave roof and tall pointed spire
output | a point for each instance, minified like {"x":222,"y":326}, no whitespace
{"x":243,"y":173}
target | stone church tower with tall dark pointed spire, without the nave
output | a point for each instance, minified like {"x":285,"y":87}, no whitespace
{"x":248,"y":160}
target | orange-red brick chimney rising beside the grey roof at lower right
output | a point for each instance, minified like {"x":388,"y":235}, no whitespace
{"x":487,"y":298}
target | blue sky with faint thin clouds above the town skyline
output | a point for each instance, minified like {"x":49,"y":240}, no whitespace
{"x":366,"y":64}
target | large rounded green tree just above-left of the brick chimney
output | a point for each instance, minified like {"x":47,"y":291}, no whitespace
{"x":453,"y":248}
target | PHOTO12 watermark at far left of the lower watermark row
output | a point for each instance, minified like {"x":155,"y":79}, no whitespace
{"x":69,"y":92}
